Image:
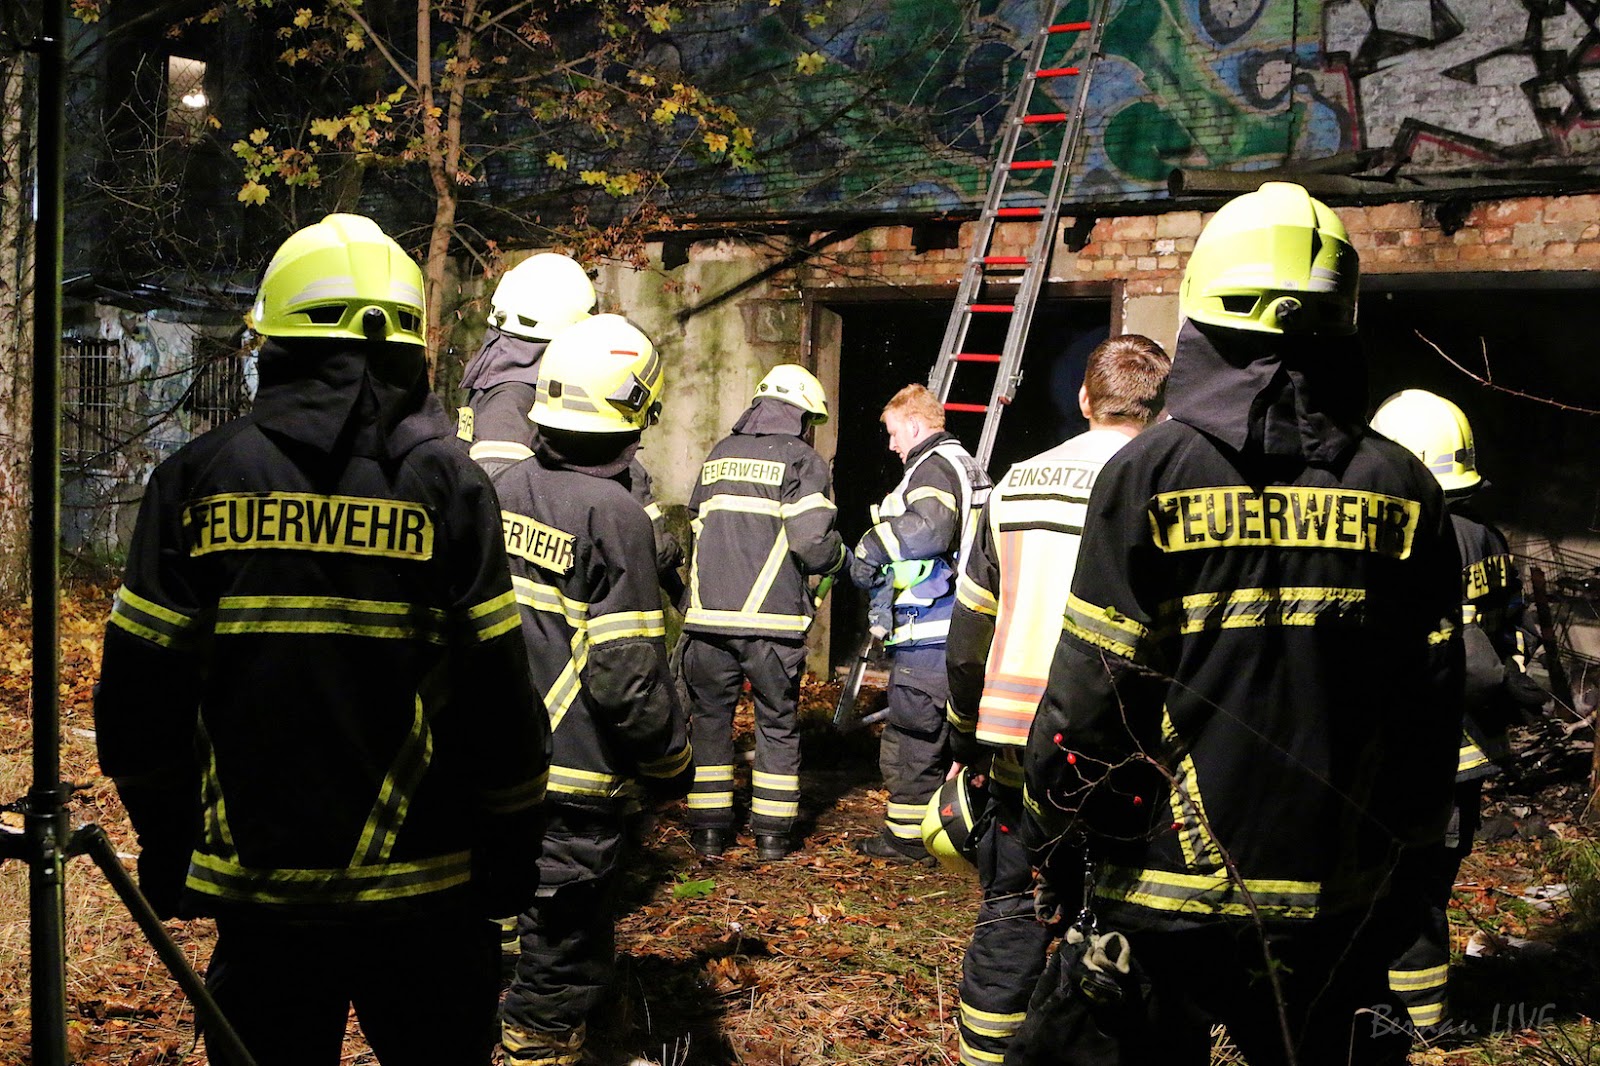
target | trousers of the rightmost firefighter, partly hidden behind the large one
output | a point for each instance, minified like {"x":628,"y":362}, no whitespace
{"x":1420,"y":976}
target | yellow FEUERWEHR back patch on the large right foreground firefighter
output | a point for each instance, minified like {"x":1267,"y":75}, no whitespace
{"x":1284,"y":516}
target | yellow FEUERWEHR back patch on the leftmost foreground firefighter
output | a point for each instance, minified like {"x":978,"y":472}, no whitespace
{"x":356,"y":526}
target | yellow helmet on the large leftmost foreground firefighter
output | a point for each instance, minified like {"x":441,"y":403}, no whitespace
{"x":342,"y":279}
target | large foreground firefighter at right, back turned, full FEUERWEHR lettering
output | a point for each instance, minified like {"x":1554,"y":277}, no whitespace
{"x":1255,"y":705}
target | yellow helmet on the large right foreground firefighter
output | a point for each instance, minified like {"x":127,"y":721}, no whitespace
{"x":1274,"y":262}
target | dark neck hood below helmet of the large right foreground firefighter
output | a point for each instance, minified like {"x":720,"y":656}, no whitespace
{"x":1278,"y":396}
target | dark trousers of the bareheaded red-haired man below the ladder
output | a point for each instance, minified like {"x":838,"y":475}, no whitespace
{"x":913,"y":747}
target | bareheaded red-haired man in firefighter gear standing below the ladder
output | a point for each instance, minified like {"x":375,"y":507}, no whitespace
{"x":918,"y":539}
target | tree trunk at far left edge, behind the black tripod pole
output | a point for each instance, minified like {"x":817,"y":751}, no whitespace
{"x":17,"y":323}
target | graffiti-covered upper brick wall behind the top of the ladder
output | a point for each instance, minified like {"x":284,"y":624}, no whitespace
{"x":906,"y":103}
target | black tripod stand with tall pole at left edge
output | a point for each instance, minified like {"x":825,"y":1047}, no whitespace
{"x":46,"y":844}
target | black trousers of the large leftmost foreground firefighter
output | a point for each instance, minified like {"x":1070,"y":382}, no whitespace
{"x":425,"y":990}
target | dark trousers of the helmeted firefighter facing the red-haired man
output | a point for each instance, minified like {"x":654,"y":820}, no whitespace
{"x":714,"y":673}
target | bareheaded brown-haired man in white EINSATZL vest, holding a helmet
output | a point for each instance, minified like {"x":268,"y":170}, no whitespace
{"x":1009,"y":607}
